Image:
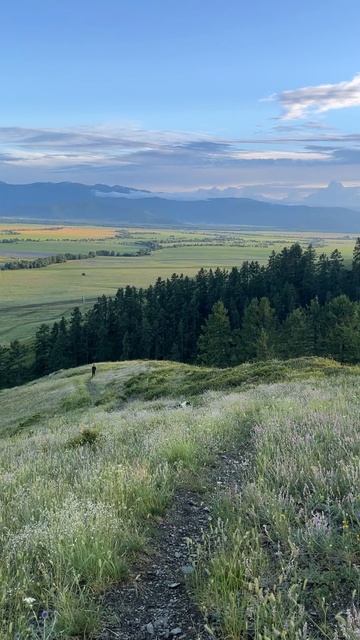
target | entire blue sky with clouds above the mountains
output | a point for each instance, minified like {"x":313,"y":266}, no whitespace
{"x":170,"y":96}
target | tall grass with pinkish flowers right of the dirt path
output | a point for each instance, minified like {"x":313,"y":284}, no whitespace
{"x":283,"y":558}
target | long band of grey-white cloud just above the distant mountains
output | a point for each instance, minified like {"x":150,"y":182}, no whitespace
{"x":161,"y":160}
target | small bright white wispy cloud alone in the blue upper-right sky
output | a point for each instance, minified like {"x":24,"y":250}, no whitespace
{"x":298,"y":103}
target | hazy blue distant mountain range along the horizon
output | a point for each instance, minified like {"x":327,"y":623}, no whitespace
{"x":118,"y":205}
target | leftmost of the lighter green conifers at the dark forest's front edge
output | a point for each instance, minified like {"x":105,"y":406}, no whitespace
{"x":215,"y":341}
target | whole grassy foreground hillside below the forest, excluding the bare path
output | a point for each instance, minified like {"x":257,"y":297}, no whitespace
{"x":88,"y":466}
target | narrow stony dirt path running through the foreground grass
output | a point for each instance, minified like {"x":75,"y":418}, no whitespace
{"x":156,"y":602}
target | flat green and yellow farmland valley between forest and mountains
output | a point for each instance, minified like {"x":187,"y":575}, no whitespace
{"x":29,"y":297}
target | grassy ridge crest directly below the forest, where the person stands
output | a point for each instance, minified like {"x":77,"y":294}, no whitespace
{"x":117,"y":383}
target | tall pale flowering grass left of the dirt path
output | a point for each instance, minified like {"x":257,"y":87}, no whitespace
{"x":79,"y":496}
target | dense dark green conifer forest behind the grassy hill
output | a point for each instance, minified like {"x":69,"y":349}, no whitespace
{"x":299,"y":304}
